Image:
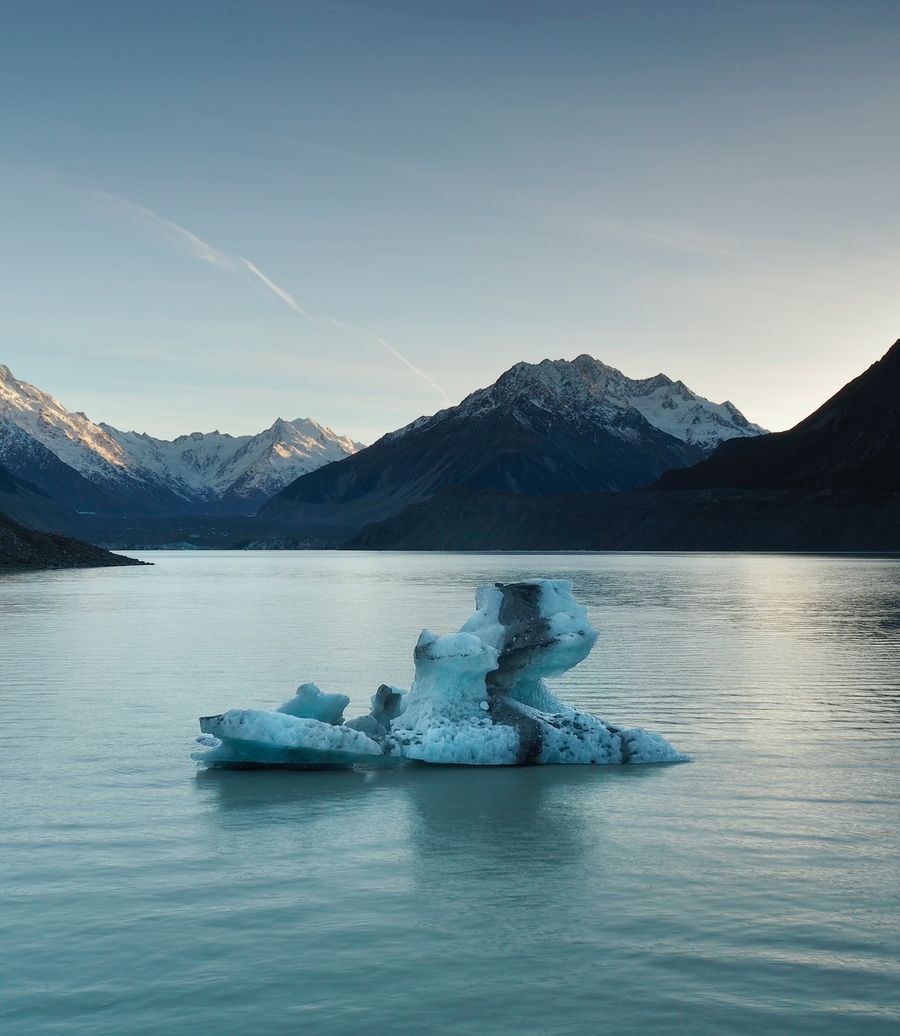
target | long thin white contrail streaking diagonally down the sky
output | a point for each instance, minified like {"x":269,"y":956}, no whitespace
{"x":195,"y":247}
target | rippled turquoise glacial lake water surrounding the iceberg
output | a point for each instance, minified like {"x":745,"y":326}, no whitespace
{"x":757,"y":889}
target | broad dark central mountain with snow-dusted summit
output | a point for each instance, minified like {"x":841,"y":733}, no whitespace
{"x":542,"y":429}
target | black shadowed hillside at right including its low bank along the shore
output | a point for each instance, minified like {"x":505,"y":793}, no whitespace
{"x":830,"y":483}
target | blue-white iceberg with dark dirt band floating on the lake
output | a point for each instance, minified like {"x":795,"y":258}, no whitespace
{"x":480,"y":698}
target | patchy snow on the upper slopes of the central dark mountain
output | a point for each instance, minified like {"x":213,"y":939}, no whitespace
{"x":605,"y":395}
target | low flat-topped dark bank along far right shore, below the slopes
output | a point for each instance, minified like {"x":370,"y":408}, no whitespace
{"x":644,"y":521}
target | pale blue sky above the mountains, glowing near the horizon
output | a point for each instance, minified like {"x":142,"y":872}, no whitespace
{"x":214,"y":215}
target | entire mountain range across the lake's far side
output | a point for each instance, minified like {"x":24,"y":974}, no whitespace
{"x":557,"y":455}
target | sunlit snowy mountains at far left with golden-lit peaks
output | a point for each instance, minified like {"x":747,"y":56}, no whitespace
{"x":98,"y":468}
